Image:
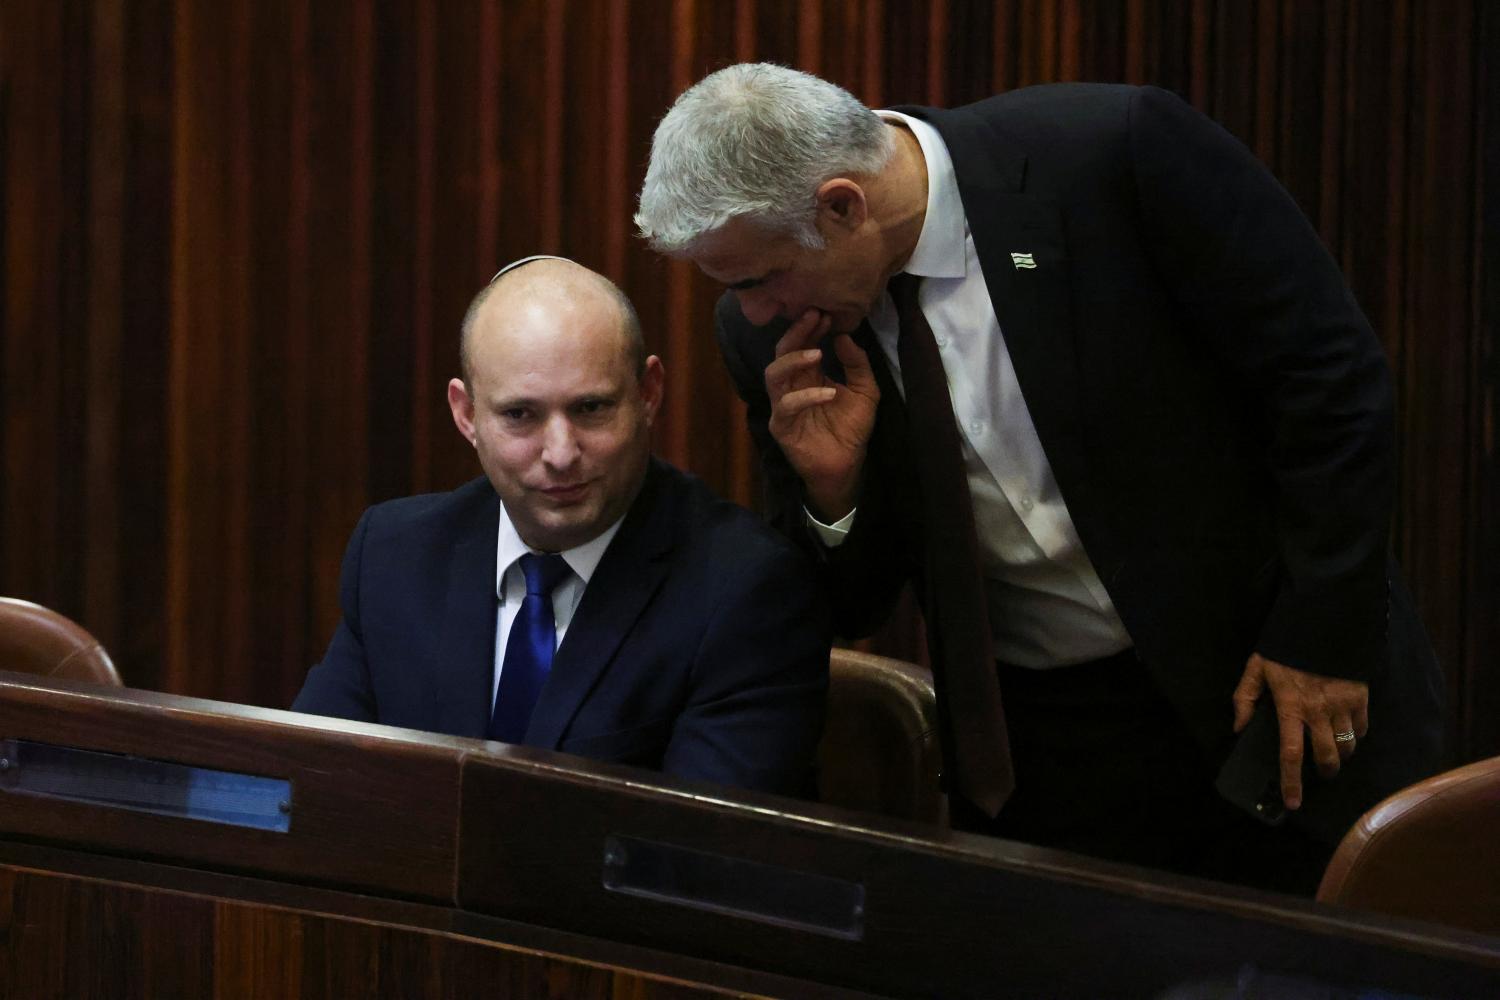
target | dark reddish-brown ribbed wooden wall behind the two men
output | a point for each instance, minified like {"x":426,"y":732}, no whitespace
{"x":239,"y":239}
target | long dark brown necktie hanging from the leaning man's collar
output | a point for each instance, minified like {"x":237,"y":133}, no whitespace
{"x":959,"y":624}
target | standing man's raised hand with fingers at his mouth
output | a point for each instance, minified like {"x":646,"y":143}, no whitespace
{"x":823,"y":427}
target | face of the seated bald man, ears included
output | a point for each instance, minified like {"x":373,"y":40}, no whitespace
{"x":559,"y":418}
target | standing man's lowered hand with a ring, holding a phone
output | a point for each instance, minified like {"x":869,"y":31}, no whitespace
{"x":1333,"y":713}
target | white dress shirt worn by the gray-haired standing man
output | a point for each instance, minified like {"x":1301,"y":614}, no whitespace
{"x":1048,"y":606}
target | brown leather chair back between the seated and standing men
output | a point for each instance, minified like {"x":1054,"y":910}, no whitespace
{"x":880,"y":750}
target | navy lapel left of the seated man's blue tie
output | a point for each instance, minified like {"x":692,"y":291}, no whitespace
{"x":464,"y":653}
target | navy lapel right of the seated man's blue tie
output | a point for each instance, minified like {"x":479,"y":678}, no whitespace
{"x":626,"y":581}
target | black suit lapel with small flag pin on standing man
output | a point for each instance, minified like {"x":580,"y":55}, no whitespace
{"x":1031,"y":302}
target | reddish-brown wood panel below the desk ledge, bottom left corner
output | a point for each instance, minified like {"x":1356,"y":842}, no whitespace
{"x":68,"y":936}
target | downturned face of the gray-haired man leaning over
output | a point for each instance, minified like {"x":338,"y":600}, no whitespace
{"x":775,"y":277}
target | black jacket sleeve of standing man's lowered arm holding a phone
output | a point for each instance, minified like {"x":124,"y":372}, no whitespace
{"x":1253,"y":280}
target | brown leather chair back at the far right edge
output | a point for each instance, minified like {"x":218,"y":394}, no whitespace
{"x":1429,"y":852}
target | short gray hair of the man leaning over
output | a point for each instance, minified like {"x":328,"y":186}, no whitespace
{"x":755,"y":140}
